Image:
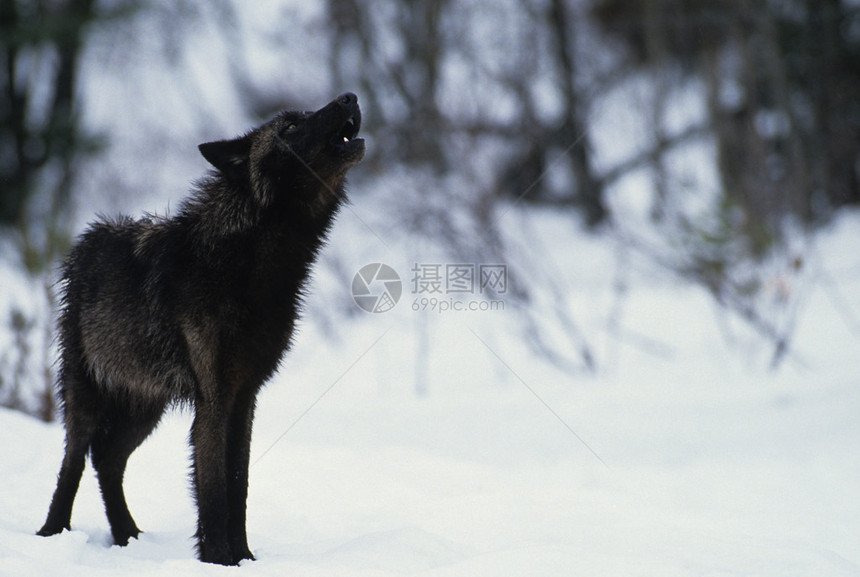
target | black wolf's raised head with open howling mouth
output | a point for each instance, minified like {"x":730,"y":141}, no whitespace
{"x":297,"y":156}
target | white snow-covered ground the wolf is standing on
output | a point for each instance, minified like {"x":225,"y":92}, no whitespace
{"x":684,"y":457}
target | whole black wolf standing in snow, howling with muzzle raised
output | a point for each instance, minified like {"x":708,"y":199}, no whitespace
{"x":198,"y":309}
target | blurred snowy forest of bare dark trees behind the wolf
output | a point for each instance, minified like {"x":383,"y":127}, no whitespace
{"x":740,"y":125}
